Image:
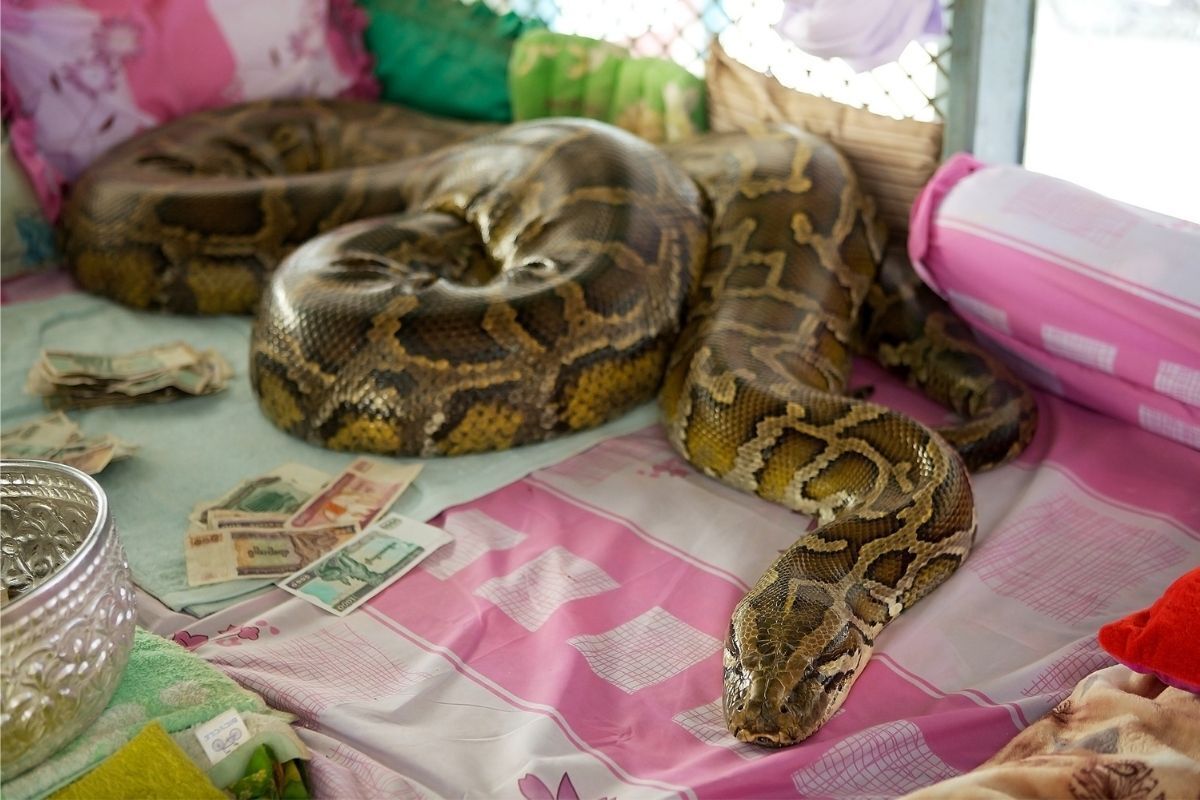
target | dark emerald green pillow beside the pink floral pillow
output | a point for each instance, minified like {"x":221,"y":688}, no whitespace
{"x":443,"y":57}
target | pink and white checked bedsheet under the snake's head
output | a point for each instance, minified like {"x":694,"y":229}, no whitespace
{"x":568,"y":645}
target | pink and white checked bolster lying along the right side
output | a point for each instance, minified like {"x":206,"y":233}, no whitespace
{"x":1095,"y":300}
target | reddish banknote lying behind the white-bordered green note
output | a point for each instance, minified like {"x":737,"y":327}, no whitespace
{"x":364,"y":491}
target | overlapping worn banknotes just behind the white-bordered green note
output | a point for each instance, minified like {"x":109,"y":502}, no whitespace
{"x":274,"y":525}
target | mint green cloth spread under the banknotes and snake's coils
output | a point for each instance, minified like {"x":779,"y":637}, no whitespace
{"x":199,"y":448}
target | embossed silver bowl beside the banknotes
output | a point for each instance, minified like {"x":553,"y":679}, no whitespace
{"x":68,"y":625}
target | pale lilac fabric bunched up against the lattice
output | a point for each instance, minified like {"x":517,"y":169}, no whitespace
{"x":866,"y":34}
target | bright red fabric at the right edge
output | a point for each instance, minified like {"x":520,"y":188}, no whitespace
{"x":1163,"y":640}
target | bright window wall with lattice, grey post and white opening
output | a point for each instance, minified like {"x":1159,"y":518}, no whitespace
{"x":1112,"y":104}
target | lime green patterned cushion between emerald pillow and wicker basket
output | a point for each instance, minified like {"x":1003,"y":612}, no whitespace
{"x":556,"y":75}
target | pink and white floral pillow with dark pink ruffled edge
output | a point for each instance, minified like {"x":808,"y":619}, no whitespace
{"x":81,"y":76}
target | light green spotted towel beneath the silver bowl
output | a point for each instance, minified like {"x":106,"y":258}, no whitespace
{"x":163,"y":683}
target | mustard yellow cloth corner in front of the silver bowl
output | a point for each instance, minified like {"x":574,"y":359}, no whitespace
{"x":149,"y":766}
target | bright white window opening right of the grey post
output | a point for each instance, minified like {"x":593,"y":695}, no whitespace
{"x":1114,"y":103}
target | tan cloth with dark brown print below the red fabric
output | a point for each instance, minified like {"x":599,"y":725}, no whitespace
{"x":1120,"y":735}
